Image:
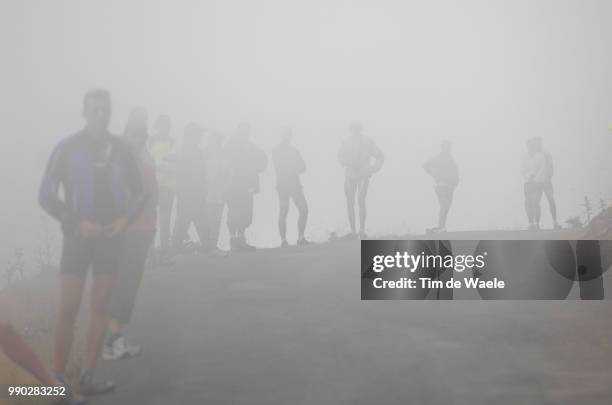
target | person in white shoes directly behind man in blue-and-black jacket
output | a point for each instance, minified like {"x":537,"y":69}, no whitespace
{"x":138,"y":239}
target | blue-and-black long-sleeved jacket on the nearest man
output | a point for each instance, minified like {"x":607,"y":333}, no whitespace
{"x":99,"y":178}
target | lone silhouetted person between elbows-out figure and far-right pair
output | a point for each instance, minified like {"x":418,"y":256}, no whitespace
{"x":445,"y":173}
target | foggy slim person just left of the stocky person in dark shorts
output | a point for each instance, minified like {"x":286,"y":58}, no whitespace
{"x":216,"y":184}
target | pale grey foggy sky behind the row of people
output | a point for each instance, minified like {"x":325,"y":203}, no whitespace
{"x":485,"y":74}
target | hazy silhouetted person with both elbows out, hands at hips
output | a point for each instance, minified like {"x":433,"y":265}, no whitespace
{"x":361,"y":158}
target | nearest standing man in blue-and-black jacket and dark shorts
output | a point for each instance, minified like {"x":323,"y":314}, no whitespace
{"x":101,"y":194}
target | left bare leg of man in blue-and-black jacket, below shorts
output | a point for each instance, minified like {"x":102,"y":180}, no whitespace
{"x":70,"y":293}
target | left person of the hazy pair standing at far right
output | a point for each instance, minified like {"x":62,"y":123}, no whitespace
{"x":535,"y":172}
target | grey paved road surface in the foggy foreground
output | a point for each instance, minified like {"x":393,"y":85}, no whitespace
{"x":288,"y":327}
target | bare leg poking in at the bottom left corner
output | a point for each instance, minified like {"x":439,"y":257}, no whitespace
{"x":20,"y":353}
